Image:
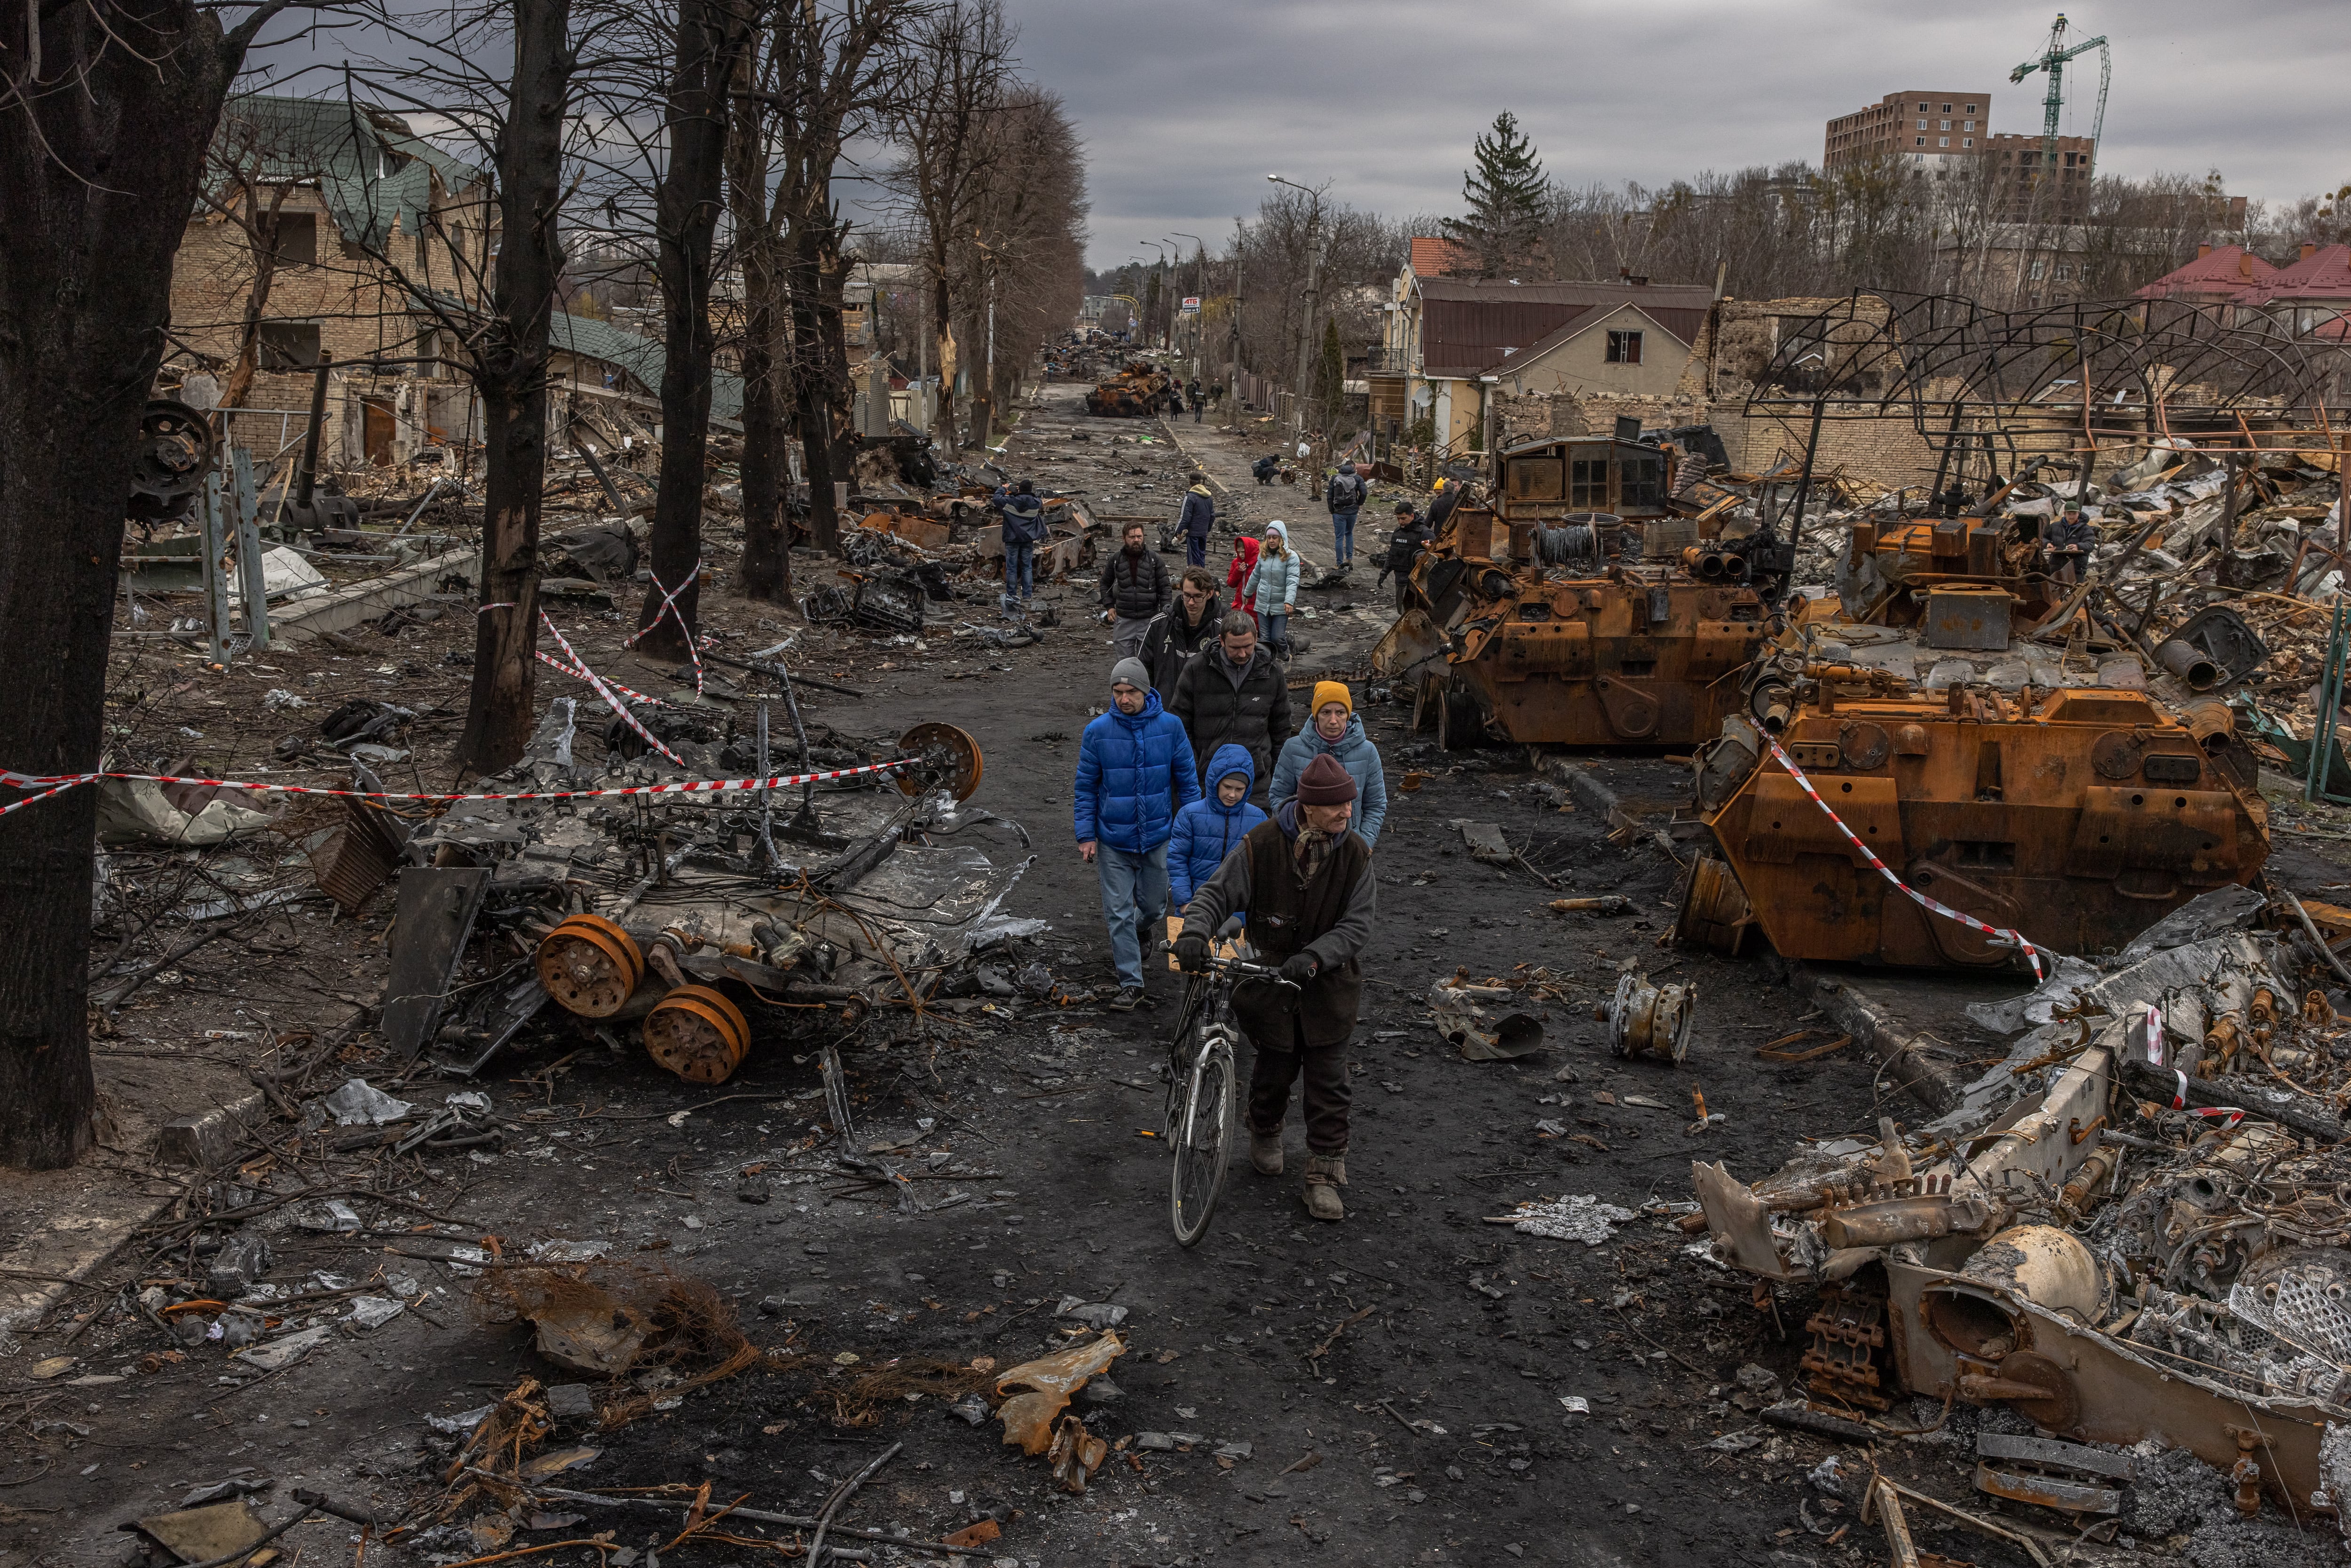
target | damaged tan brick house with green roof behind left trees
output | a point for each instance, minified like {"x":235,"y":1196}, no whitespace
{"x":335,"y":229}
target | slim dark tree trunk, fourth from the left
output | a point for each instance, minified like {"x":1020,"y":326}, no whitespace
{"x":768,"y":532}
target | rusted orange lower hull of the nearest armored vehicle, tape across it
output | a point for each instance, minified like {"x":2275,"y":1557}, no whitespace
{"x":2077,"y":826}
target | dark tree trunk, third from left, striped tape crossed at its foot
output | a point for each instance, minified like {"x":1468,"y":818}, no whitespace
{"x":685,"y":222}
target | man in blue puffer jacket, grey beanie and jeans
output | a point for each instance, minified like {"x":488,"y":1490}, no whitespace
{"x":1134,"y":775}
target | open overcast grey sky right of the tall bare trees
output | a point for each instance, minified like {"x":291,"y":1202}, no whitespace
{"x":1188,"y":107}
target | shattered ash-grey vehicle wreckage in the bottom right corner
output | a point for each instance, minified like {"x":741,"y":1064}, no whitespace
{"x":2129,"y":1231}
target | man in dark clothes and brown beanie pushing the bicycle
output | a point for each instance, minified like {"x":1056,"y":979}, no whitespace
{"x":1306,"y":883}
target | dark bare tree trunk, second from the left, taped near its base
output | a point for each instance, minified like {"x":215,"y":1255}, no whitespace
{"x":514,"y":382}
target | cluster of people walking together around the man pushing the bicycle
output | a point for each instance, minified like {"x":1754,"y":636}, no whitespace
{"x":1200,"y":713}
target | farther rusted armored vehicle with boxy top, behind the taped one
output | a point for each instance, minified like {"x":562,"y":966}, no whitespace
{"x":1579,"y":605}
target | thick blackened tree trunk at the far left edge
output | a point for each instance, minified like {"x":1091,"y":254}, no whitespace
{"x":100,"y":168}
